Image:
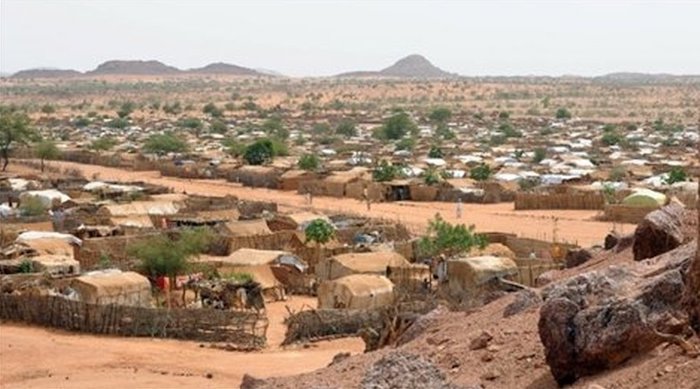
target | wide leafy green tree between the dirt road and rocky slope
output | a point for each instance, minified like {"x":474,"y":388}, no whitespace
{"x":443,"y":238}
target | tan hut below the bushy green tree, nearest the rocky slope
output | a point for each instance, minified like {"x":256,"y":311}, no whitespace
{"x":468,"y":274}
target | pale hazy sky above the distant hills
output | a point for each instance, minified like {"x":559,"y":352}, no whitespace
{"x":315,"y":38}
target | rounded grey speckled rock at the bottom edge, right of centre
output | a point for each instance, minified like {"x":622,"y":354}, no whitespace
{"x":400,"y":369}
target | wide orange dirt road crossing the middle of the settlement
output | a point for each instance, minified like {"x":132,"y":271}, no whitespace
{"x":571,"y":226}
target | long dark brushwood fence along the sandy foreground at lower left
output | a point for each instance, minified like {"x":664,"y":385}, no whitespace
{"x":244,"y":330}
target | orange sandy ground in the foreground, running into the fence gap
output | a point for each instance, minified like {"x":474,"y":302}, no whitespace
{"x":32,"y":357}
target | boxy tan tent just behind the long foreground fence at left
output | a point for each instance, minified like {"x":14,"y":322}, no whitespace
{"x":113,"y":286}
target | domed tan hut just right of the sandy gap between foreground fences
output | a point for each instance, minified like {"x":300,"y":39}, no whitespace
{"x":357,"y":291}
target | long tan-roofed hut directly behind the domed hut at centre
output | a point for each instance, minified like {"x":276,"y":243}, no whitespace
{"x":359,"y":263}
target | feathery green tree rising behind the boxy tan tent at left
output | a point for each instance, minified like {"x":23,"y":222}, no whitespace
{"x":160,"y":256}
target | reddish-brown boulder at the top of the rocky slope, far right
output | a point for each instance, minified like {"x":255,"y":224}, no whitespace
{"x":660,"y":231}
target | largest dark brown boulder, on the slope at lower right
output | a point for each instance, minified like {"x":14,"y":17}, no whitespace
{"x":599,"y":319}
